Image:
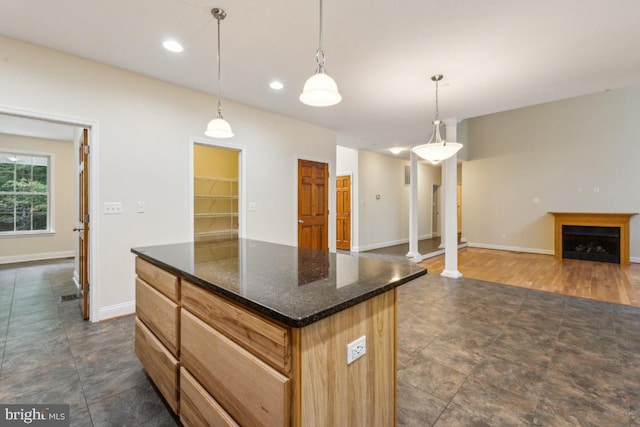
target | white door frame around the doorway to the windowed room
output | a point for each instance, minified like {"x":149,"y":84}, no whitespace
{"x":93,"y":127}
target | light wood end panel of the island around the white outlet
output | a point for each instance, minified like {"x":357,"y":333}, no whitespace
{"x":363,"y":392}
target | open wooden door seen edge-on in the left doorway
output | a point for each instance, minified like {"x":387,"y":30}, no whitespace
{"x":83,"y":221}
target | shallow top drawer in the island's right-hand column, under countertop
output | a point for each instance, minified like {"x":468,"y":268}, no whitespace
{"x":263,"y":338}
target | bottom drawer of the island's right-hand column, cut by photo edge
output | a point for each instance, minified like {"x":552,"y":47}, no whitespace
{"x":197,"y":407}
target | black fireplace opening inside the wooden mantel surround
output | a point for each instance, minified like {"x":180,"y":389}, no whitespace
{"x":591,"y":243}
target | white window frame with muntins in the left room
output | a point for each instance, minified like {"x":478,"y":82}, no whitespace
{"x":49,"y":157}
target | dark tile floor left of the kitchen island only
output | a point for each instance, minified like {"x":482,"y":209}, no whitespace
{"x":50,"y":355}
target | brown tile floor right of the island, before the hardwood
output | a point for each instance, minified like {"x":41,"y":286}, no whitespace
{"x":474,"y":353}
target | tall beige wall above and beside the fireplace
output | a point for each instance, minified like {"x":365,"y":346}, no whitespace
{"x":527,"y":162}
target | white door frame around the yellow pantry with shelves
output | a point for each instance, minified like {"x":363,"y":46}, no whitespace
{"x":242,"y":170}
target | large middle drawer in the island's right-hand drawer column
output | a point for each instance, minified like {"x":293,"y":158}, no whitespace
{"x":251,"y":391}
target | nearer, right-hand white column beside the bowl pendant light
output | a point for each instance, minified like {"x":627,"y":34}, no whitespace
{"x":450,"y":182}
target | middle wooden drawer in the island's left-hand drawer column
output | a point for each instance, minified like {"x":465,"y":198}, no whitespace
{"x":159,"y":313}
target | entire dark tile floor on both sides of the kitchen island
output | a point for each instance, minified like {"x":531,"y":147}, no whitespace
{"x":470,"y":353}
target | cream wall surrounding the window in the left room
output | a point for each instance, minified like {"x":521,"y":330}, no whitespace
{"x":61,"y":242}
